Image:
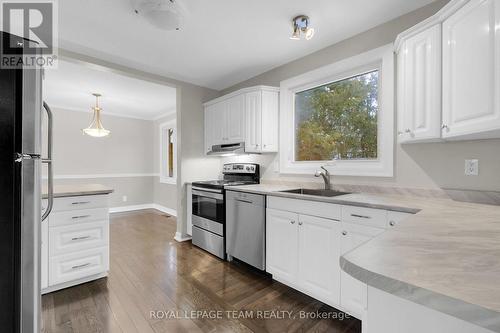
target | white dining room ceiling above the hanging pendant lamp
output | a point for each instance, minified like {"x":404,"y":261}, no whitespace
{"x":71,"y":85}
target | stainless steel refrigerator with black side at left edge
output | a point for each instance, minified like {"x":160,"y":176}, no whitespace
{"x":21,"y":109}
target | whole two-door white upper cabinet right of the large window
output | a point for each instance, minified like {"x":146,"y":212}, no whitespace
{"x":449,"y":74}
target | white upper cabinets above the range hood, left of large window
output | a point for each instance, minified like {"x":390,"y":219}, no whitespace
{"x":249,"y":115}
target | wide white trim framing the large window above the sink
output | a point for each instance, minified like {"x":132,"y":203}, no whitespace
{"x":382,"y":59}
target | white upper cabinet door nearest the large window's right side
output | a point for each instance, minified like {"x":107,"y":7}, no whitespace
{"x":419,"y":87}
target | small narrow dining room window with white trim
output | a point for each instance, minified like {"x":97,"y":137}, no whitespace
{"x":168,"y":152}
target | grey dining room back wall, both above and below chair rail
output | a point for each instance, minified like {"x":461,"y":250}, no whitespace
{"x":128,"y":150}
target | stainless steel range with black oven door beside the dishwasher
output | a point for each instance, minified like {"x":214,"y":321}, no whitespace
{"x":209,"y":206}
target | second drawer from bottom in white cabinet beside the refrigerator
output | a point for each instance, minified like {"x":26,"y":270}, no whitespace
{"x":83,"y":236}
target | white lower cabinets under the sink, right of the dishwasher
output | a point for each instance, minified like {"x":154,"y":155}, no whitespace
{"x":304,"y":242}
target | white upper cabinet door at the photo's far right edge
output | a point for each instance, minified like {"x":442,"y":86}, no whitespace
{"x":471,"y":71}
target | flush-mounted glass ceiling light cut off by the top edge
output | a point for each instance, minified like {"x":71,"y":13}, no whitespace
{"x":162,"y":14}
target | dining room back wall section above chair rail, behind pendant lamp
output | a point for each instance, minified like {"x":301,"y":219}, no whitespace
{"x":127,"y":150}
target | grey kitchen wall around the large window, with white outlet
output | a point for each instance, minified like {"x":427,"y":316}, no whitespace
{"x":439,"y":165}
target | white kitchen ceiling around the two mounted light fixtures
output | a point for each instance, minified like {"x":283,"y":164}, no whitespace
{"x":224,"y":41}
